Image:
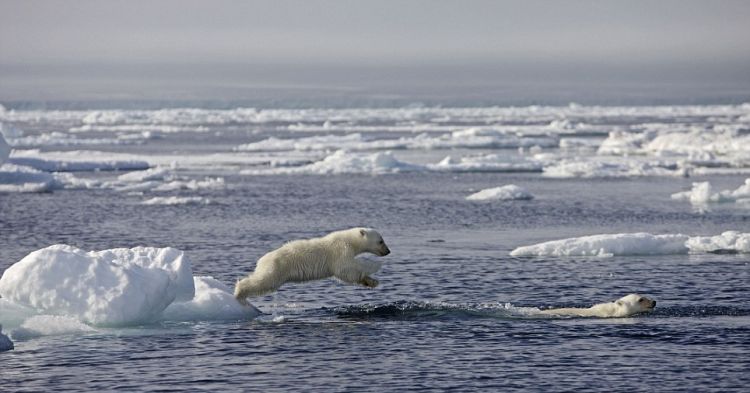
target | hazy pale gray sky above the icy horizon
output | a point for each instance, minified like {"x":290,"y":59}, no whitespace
{"x":47,"y":47}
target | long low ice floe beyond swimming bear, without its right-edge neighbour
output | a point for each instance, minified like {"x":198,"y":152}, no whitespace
{"x":608,"y":245}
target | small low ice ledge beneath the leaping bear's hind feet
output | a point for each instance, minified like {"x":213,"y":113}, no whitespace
{"x":213,"y":301}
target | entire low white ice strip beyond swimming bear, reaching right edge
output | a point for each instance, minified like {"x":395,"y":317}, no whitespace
{"x":638,"y":244}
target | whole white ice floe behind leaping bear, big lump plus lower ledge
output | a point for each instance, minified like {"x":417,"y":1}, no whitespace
{"x":115,"y":287}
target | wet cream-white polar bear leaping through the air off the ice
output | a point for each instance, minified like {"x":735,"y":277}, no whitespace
{"x":304,"y":260}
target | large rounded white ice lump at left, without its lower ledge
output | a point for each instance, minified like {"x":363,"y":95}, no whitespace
{"x":111,"y":287}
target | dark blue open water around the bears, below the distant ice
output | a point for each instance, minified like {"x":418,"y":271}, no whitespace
{"x":439,"y":319}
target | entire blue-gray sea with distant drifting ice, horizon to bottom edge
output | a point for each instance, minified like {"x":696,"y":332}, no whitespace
{"x":454,"y":310}
